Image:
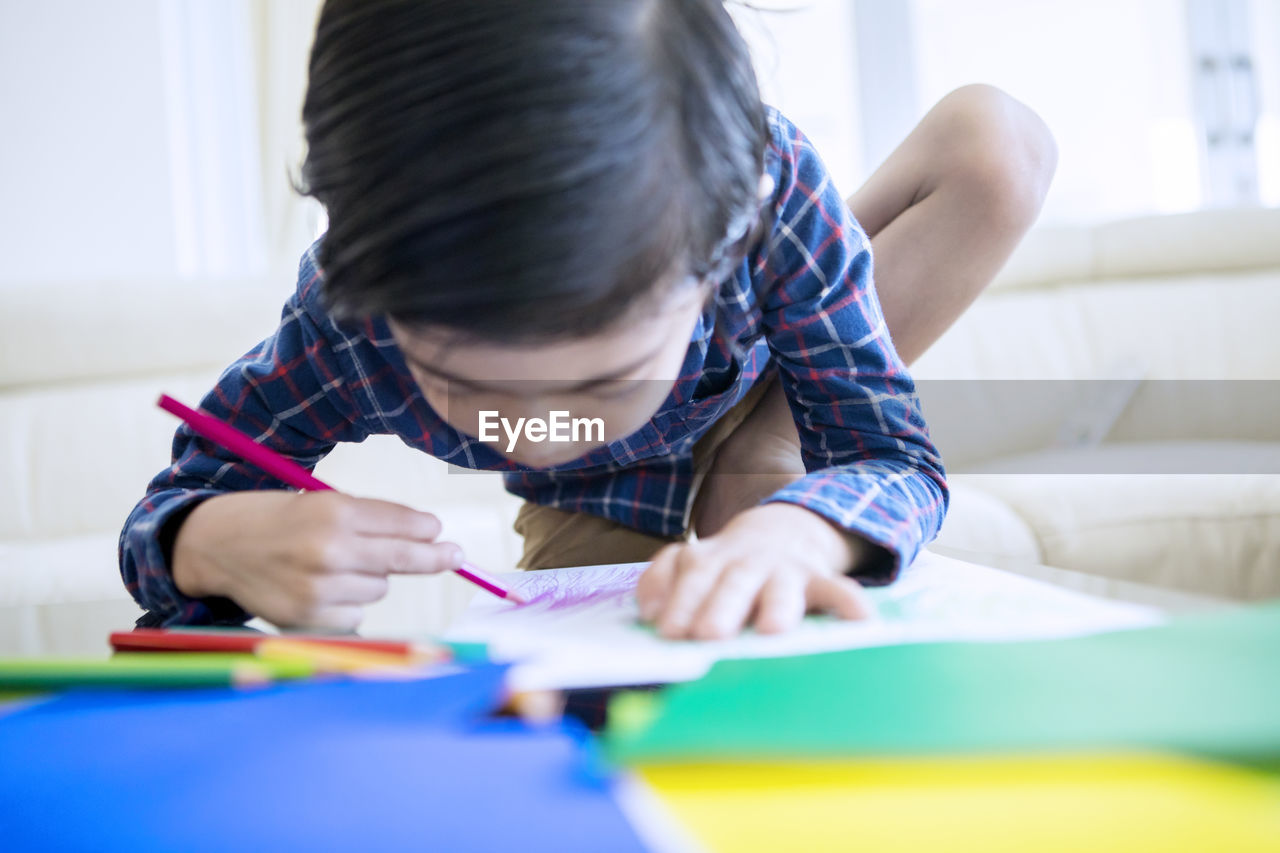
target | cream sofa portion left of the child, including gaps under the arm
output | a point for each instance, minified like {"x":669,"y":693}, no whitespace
{"x":81,"y":367}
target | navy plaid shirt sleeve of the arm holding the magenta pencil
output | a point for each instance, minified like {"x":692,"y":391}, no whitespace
{"x":287,"y":394}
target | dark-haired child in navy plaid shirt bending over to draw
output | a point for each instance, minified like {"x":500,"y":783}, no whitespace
{"x":584,"y":208}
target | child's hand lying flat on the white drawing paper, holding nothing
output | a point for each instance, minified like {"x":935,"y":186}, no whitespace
{"x":770,"y":565}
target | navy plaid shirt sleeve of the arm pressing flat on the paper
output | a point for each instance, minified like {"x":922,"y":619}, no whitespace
{"x":874,"y":469}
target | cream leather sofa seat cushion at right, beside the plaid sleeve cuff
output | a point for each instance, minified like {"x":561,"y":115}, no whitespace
{"x":1215,"y":535}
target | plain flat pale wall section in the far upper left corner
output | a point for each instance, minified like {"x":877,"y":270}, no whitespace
{"x":84,"y":152}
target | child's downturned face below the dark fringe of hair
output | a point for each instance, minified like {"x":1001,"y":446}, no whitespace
{"x":620,"y":377}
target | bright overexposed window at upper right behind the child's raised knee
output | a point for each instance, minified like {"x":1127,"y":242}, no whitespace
{"x":1121,"y":83}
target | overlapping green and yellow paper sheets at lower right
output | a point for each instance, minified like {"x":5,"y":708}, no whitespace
{"x":1165,"y":738}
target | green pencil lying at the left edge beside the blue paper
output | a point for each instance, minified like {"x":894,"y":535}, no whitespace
{"x":143,"y":670}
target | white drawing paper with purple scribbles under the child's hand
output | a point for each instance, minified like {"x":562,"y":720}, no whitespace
{"x":580,"y":627}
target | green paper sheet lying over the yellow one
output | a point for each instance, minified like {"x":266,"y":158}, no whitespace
{"x":1208,"y":686}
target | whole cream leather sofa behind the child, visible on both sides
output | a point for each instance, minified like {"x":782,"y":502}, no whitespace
{"x":81,"y":366}
